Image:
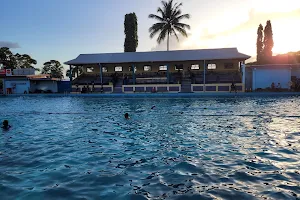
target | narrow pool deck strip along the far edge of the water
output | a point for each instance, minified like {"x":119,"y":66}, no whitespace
{"x":163,"y":95}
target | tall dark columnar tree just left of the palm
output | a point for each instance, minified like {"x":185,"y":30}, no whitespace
{"x":130,"y":30}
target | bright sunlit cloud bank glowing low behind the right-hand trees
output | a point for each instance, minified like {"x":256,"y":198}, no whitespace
{"x":242,"y":35}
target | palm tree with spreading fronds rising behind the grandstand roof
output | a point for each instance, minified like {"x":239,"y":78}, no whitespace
{"x":169,"y":22}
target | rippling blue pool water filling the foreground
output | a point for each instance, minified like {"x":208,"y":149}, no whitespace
{"x":210,"y":148}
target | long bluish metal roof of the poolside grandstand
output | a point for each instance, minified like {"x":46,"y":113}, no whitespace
{"x":159,"y":56}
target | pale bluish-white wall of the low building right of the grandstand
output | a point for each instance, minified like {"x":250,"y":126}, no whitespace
{"x":264,"y":77}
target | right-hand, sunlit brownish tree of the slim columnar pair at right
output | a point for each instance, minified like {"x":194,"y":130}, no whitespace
{"x":268,"y":42}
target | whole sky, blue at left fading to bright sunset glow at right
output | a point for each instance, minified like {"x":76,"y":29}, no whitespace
{"x":63,"y":29}
